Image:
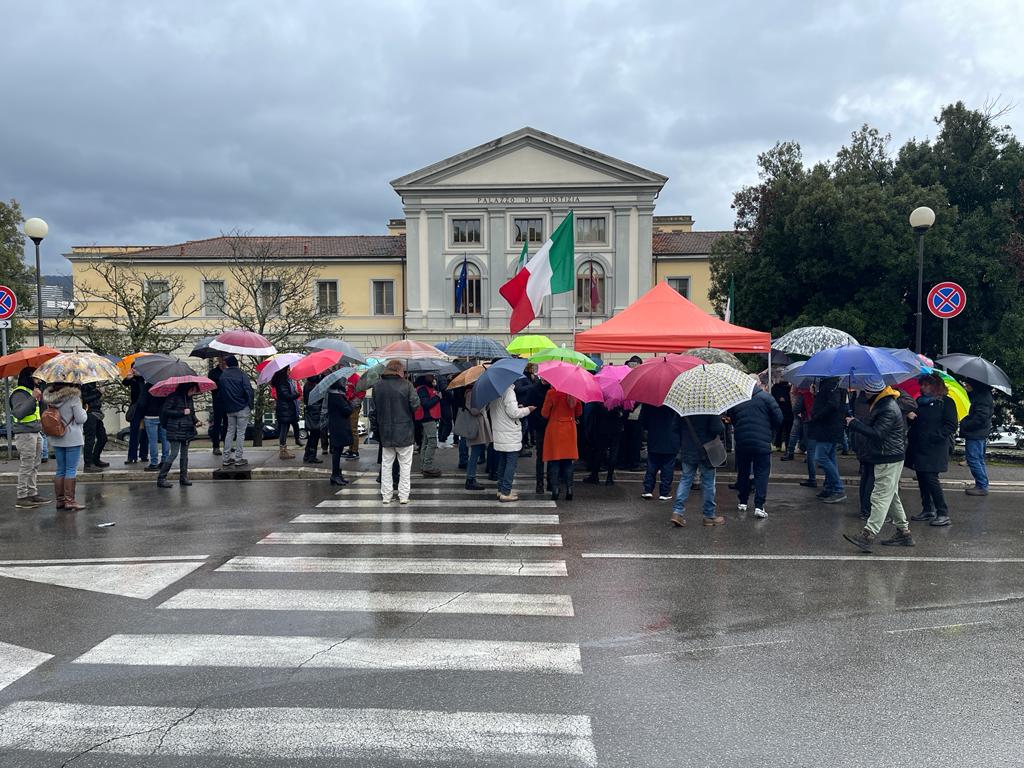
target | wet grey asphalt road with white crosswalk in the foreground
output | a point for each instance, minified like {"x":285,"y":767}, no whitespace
{"x":770,"y":643}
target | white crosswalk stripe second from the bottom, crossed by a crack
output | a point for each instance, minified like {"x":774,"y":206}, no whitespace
{"x":338,"y":653}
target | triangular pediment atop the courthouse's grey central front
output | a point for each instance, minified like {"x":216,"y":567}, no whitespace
{"x":529,"y":158}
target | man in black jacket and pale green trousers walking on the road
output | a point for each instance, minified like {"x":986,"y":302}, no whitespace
{"x":885,"y":431}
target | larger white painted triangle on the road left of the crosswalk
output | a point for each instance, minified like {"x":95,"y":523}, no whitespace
{"x":142,"y":580}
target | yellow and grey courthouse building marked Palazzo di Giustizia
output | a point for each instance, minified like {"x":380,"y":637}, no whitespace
{"x":476,"y":209}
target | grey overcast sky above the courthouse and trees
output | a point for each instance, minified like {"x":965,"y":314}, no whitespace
{"x":155,"y":123}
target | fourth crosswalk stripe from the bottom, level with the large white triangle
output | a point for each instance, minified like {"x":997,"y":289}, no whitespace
{"x":425,"y":567}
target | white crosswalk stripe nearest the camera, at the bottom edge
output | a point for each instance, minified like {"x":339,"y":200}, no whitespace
{"x":298,"y":734}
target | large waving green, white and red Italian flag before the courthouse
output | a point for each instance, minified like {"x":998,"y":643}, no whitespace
{"x":549,"y":272}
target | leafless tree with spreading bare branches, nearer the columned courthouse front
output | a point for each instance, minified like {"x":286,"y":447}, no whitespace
{"x":271,"y":292}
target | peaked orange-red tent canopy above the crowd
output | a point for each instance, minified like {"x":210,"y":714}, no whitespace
{"x":662,"y":321}
